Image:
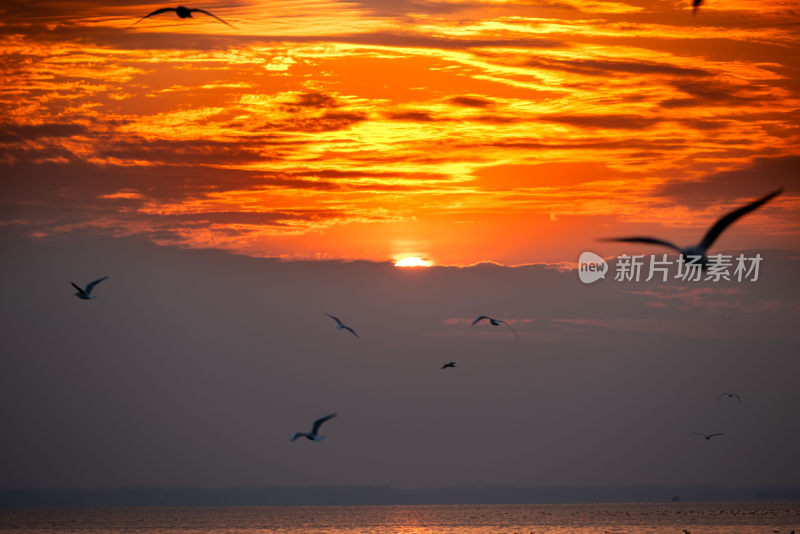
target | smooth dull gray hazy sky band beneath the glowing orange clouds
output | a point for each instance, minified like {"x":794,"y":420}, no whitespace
{"x":195,"y":367}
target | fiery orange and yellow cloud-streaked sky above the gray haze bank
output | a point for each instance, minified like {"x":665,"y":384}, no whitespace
{"x":455,"y":131}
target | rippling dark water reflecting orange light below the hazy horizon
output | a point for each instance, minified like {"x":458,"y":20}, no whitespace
{"x":716,"y":518}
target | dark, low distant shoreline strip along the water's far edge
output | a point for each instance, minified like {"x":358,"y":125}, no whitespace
{"x":151,"y":496}
